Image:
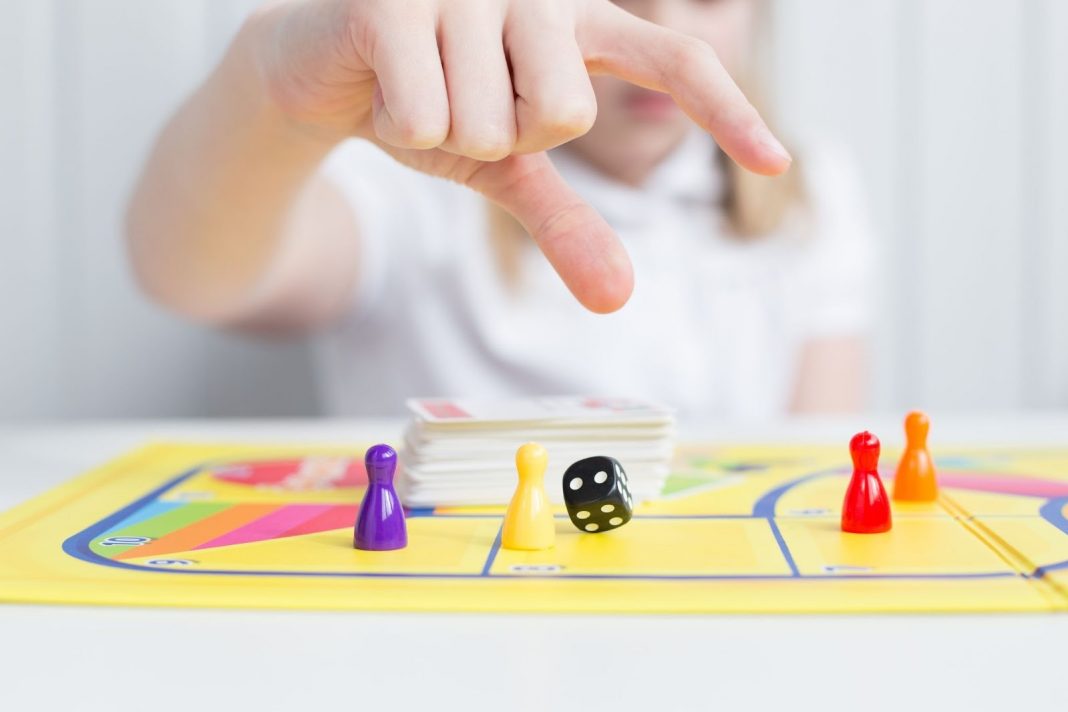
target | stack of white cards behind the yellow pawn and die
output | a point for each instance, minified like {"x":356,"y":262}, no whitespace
{"x":463,"y":452}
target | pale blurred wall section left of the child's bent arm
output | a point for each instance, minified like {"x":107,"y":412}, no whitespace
{"x":86,"y":84}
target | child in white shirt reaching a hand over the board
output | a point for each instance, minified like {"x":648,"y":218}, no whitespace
{"x":301,"y":188}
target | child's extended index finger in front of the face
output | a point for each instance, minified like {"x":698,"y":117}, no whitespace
{"x":641,"y":53}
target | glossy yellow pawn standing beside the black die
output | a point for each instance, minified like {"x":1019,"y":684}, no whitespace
{"x":528,"y":524}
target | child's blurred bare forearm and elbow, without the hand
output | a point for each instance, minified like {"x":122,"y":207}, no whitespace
{"x":228,"y":224}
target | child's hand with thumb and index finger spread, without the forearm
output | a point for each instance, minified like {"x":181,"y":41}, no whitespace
{"x":475,"y":90}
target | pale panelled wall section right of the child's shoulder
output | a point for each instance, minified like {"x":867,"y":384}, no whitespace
{"x":959,"y":109}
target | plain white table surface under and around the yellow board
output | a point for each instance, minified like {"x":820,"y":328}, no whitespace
{"x":116,"y":659}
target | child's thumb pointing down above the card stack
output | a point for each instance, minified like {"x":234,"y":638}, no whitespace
{"x":574,"y":238}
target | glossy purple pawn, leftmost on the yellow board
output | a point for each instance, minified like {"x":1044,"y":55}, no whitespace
{"x":380,"y":527}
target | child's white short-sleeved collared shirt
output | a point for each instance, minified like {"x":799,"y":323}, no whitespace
{"x":714,"y":327}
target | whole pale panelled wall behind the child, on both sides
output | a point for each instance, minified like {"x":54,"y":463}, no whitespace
{"x":956,"y":108}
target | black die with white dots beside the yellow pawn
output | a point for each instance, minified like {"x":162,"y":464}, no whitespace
{"x":596,"y":495}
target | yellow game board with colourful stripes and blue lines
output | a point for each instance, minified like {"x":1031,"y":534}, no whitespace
{"x":746,"y":529}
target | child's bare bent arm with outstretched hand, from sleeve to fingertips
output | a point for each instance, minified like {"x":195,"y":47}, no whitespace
{"x":229,"y":226}
